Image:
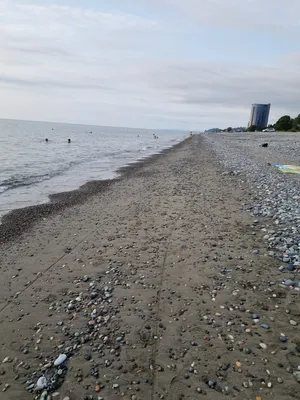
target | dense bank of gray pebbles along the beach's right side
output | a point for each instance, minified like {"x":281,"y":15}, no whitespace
{"x":275,"y":195}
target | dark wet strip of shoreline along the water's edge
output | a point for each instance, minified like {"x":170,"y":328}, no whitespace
{"x":20,"y":220}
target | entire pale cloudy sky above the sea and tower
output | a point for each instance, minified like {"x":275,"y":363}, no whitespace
{"x":168,"y":64}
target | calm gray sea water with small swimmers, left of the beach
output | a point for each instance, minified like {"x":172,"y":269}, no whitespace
{"x":31,"y":169}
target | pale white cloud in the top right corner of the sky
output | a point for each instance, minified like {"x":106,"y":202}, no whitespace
{"x":277,"y":15}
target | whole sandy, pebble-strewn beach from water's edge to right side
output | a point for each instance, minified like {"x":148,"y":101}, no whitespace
{"x":159,"y":284}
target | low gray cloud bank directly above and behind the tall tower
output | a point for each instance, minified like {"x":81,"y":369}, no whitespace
{"x":228,"y":85}
